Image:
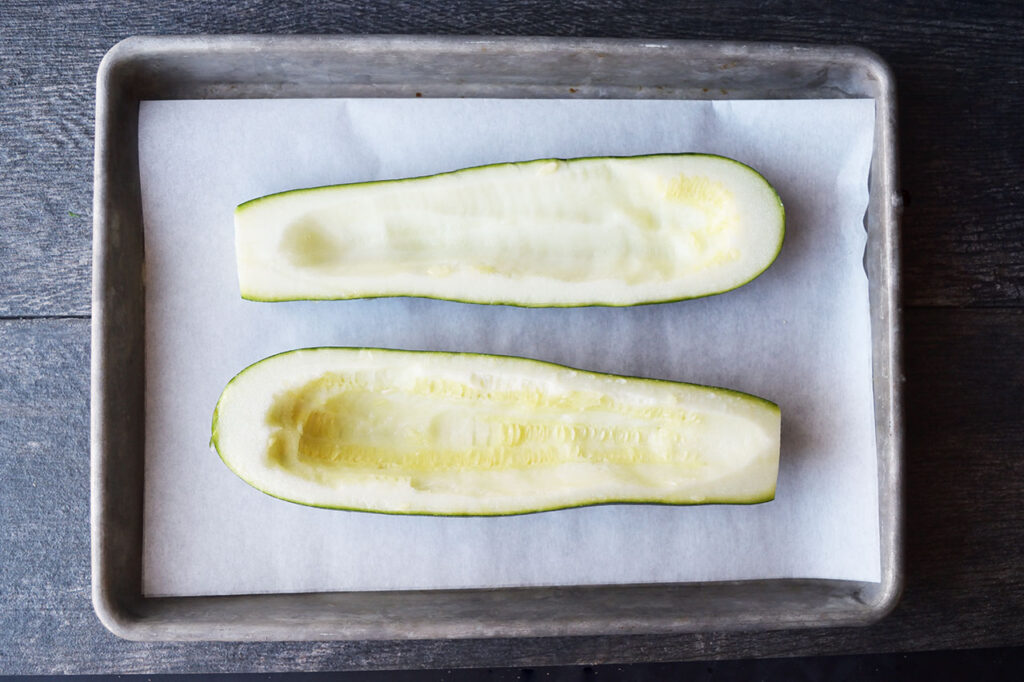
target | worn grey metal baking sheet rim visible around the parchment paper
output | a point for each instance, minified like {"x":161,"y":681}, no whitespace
{"x":307,"y":67}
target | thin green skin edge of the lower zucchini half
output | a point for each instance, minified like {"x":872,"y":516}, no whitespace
{"x":767,"y":496}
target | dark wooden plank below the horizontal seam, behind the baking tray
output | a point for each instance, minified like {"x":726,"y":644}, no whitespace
{"x":965,"y":528}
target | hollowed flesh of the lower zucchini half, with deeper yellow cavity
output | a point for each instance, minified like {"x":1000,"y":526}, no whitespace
{"x":466,"y":435}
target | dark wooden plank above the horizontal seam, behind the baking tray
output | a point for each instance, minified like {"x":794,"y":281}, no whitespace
{"x":958,"y":68}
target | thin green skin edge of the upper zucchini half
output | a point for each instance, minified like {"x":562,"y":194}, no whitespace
{"x":471,"y":295}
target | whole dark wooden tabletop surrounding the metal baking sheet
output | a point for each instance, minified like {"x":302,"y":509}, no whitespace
{"x":959,"y":69}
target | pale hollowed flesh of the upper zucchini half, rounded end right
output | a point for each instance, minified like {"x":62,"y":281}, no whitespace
{"x":610,"y":231}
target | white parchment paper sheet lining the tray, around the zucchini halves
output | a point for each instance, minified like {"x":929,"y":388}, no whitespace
{"x":799,"y":335}
